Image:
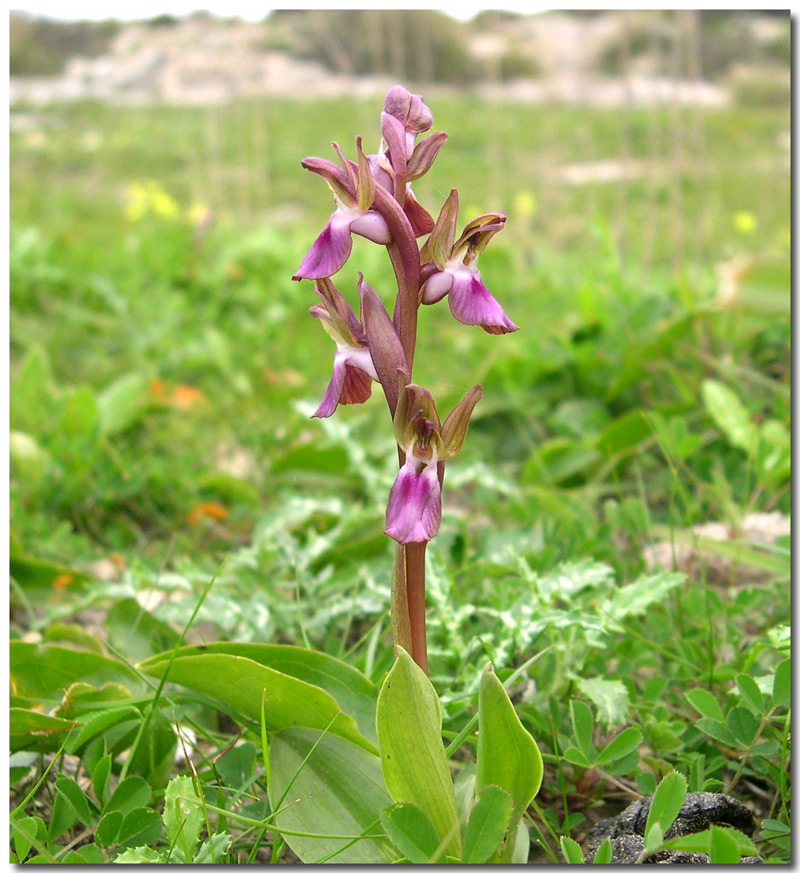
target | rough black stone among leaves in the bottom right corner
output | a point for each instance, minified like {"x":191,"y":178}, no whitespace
{"x":700,"y":810}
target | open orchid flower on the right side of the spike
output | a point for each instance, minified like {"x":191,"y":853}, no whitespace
{"x":452,"y":269}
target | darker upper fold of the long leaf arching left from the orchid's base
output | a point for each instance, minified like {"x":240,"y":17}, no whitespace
{"x":354,"y":693}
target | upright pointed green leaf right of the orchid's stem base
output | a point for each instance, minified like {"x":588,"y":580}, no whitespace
{"x":507,"y":756}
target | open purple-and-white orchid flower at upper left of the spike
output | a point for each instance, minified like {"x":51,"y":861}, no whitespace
{"x":354,"y":193}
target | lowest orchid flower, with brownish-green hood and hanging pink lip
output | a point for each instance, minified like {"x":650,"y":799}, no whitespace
{"x":414,"y":511}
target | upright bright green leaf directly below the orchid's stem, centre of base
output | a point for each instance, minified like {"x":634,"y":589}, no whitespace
{"x":409,"y":723}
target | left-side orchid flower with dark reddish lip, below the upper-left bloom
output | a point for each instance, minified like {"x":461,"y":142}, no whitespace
{"x":353,"y":370}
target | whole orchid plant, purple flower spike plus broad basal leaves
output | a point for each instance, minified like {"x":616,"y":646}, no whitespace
{"x":325,"y":727}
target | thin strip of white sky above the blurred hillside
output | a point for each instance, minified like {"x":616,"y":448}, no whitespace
{"x":138,"y":9}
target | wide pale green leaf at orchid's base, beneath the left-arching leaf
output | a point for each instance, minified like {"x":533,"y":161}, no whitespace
{"x":338,"y":790}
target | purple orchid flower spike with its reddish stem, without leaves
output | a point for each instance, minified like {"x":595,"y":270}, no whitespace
{"x":373,"y":199}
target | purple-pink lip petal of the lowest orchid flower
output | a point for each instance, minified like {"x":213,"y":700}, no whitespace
{"x":414,"y":511}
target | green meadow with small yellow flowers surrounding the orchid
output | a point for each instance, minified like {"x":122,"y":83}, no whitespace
{"x":163,"y":374}
